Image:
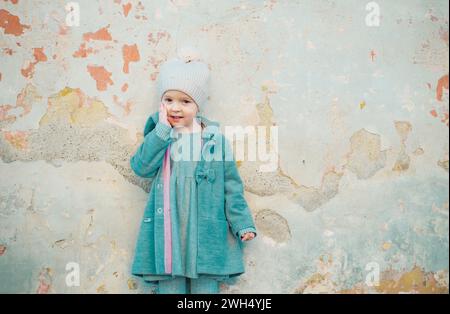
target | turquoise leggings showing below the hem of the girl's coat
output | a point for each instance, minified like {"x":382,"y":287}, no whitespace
{"x":184,"y":285}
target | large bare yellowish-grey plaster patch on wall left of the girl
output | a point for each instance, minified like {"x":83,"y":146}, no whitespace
{"x":77,"y":118}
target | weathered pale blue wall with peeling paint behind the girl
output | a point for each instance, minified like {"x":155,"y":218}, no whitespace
{"x":359,"y":202}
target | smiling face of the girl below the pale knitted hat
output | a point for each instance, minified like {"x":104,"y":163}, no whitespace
{"x":181,"y":109}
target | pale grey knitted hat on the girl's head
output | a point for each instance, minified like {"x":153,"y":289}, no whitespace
{"x":185,"y":74}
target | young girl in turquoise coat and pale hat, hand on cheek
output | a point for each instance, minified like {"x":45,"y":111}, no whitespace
{"x":196,"y":218}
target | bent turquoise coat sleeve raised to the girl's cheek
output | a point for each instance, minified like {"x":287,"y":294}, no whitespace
{"x":149,"y":156}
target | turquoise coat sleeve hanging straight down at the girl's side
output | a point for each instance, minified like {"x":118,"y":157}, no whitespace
{"x":236,"y":208}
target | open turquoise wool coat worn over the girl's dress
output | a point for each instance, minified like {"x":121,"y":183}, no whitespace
{"x":223,"y":213}
